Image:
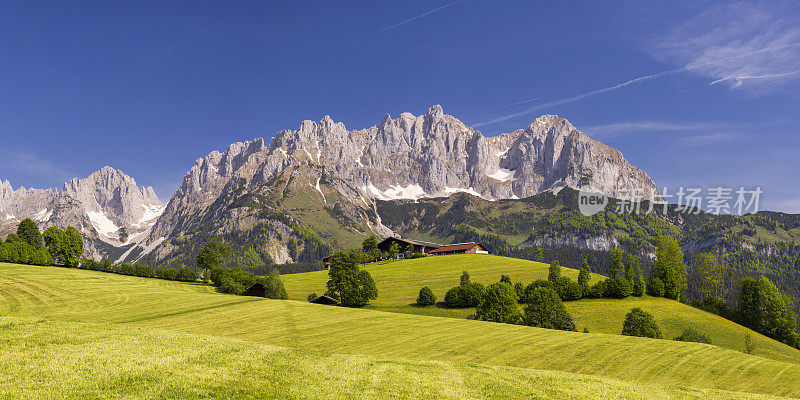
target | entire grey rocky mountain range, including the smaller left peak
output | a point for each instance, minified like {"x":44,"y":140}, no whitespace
{"x":316,"y":187}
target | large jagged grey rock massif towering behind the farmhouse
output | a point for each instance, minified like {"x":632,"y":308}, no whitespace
{"x":407,"y":157}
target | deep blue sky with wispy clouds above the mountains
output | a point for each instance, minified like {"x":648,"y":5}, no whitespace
{"x":696,"y":94}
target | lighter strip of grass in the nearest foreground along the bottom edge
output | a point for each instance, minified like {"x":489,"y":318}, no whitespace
{"x":48,"y":359}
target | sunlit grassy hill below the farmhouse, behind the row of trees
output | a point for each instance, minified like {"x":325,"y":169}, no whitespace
{"x":399,"y":283}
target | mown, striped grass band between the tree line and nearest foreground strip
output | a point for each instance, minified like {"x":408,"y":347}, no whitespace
{"x":85,"y":296}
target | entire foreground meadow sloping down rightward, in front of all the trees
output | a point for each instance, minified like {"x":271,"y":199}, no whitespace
{"x":121,"y":305}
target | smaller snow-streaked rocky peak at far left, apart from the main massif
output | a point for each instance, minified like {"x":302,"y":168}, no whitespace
{"x":107,"y":207}
